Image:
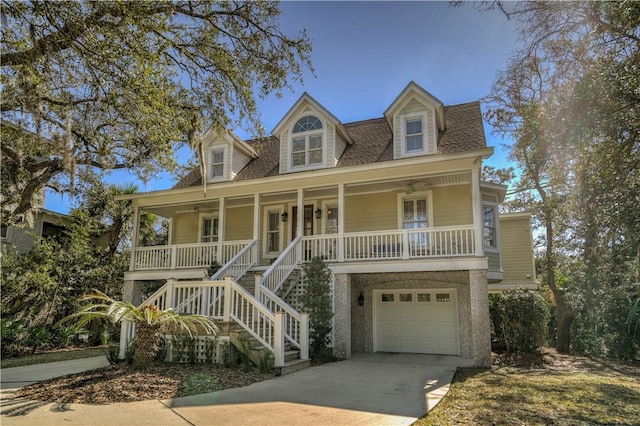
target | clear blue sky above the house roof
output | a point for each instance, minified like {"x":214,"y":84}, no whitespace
{"x":365,"y":53}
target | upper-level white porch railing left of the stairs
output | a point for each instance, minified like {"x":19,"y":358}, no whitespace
{"x":183,"y":256}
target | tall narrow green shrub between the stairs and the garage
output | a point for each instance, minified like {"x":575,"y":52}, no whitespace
{"x":317,"y":302}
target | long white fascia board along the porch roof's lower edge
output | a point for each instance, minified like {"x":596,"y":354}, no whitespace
{"x":321,"y":173}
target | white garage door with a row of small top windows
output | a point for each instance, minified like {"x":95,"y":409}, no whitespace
{"x":416,"y":321}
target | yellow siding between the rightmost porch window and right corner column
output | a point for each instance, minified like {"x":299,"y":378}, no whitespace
{"x":452,"y":206}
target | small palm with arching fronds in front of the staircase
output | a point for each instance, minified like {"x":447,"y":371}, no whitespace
{"x":150,"y":321}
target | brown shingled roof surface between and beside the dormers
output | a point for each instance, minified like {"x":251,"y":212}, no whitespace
{"x":372,"y":143}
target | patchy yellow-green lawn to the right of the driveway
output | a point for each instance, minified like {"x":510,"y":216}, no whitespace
{"x":538,"y":397}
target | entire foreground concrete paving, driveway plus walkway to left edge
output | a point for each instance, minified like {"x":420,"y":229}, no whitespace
{"x":380,"y":389}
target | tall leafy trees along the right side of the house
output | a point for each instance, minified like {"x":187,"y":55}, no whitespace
{"x":569,"y":99}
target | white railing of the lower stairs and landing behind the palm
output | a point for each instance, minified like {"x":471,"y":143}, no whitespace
{"x":226,"y":300}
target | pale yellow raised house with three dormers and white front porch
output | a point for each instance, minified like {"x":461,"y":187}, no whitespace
{"x":395,"y":206}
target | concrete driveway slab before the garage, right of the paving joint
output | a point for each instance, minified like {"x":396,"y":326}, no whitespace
{"x":368,"y":389}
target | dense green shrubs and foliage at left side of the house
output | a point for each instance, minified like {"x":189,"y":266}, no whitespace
{"x":43,"y":285}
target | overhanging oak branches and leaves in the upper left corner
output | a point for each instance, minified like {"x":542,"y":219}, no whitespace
{"x":92,"y":86}
